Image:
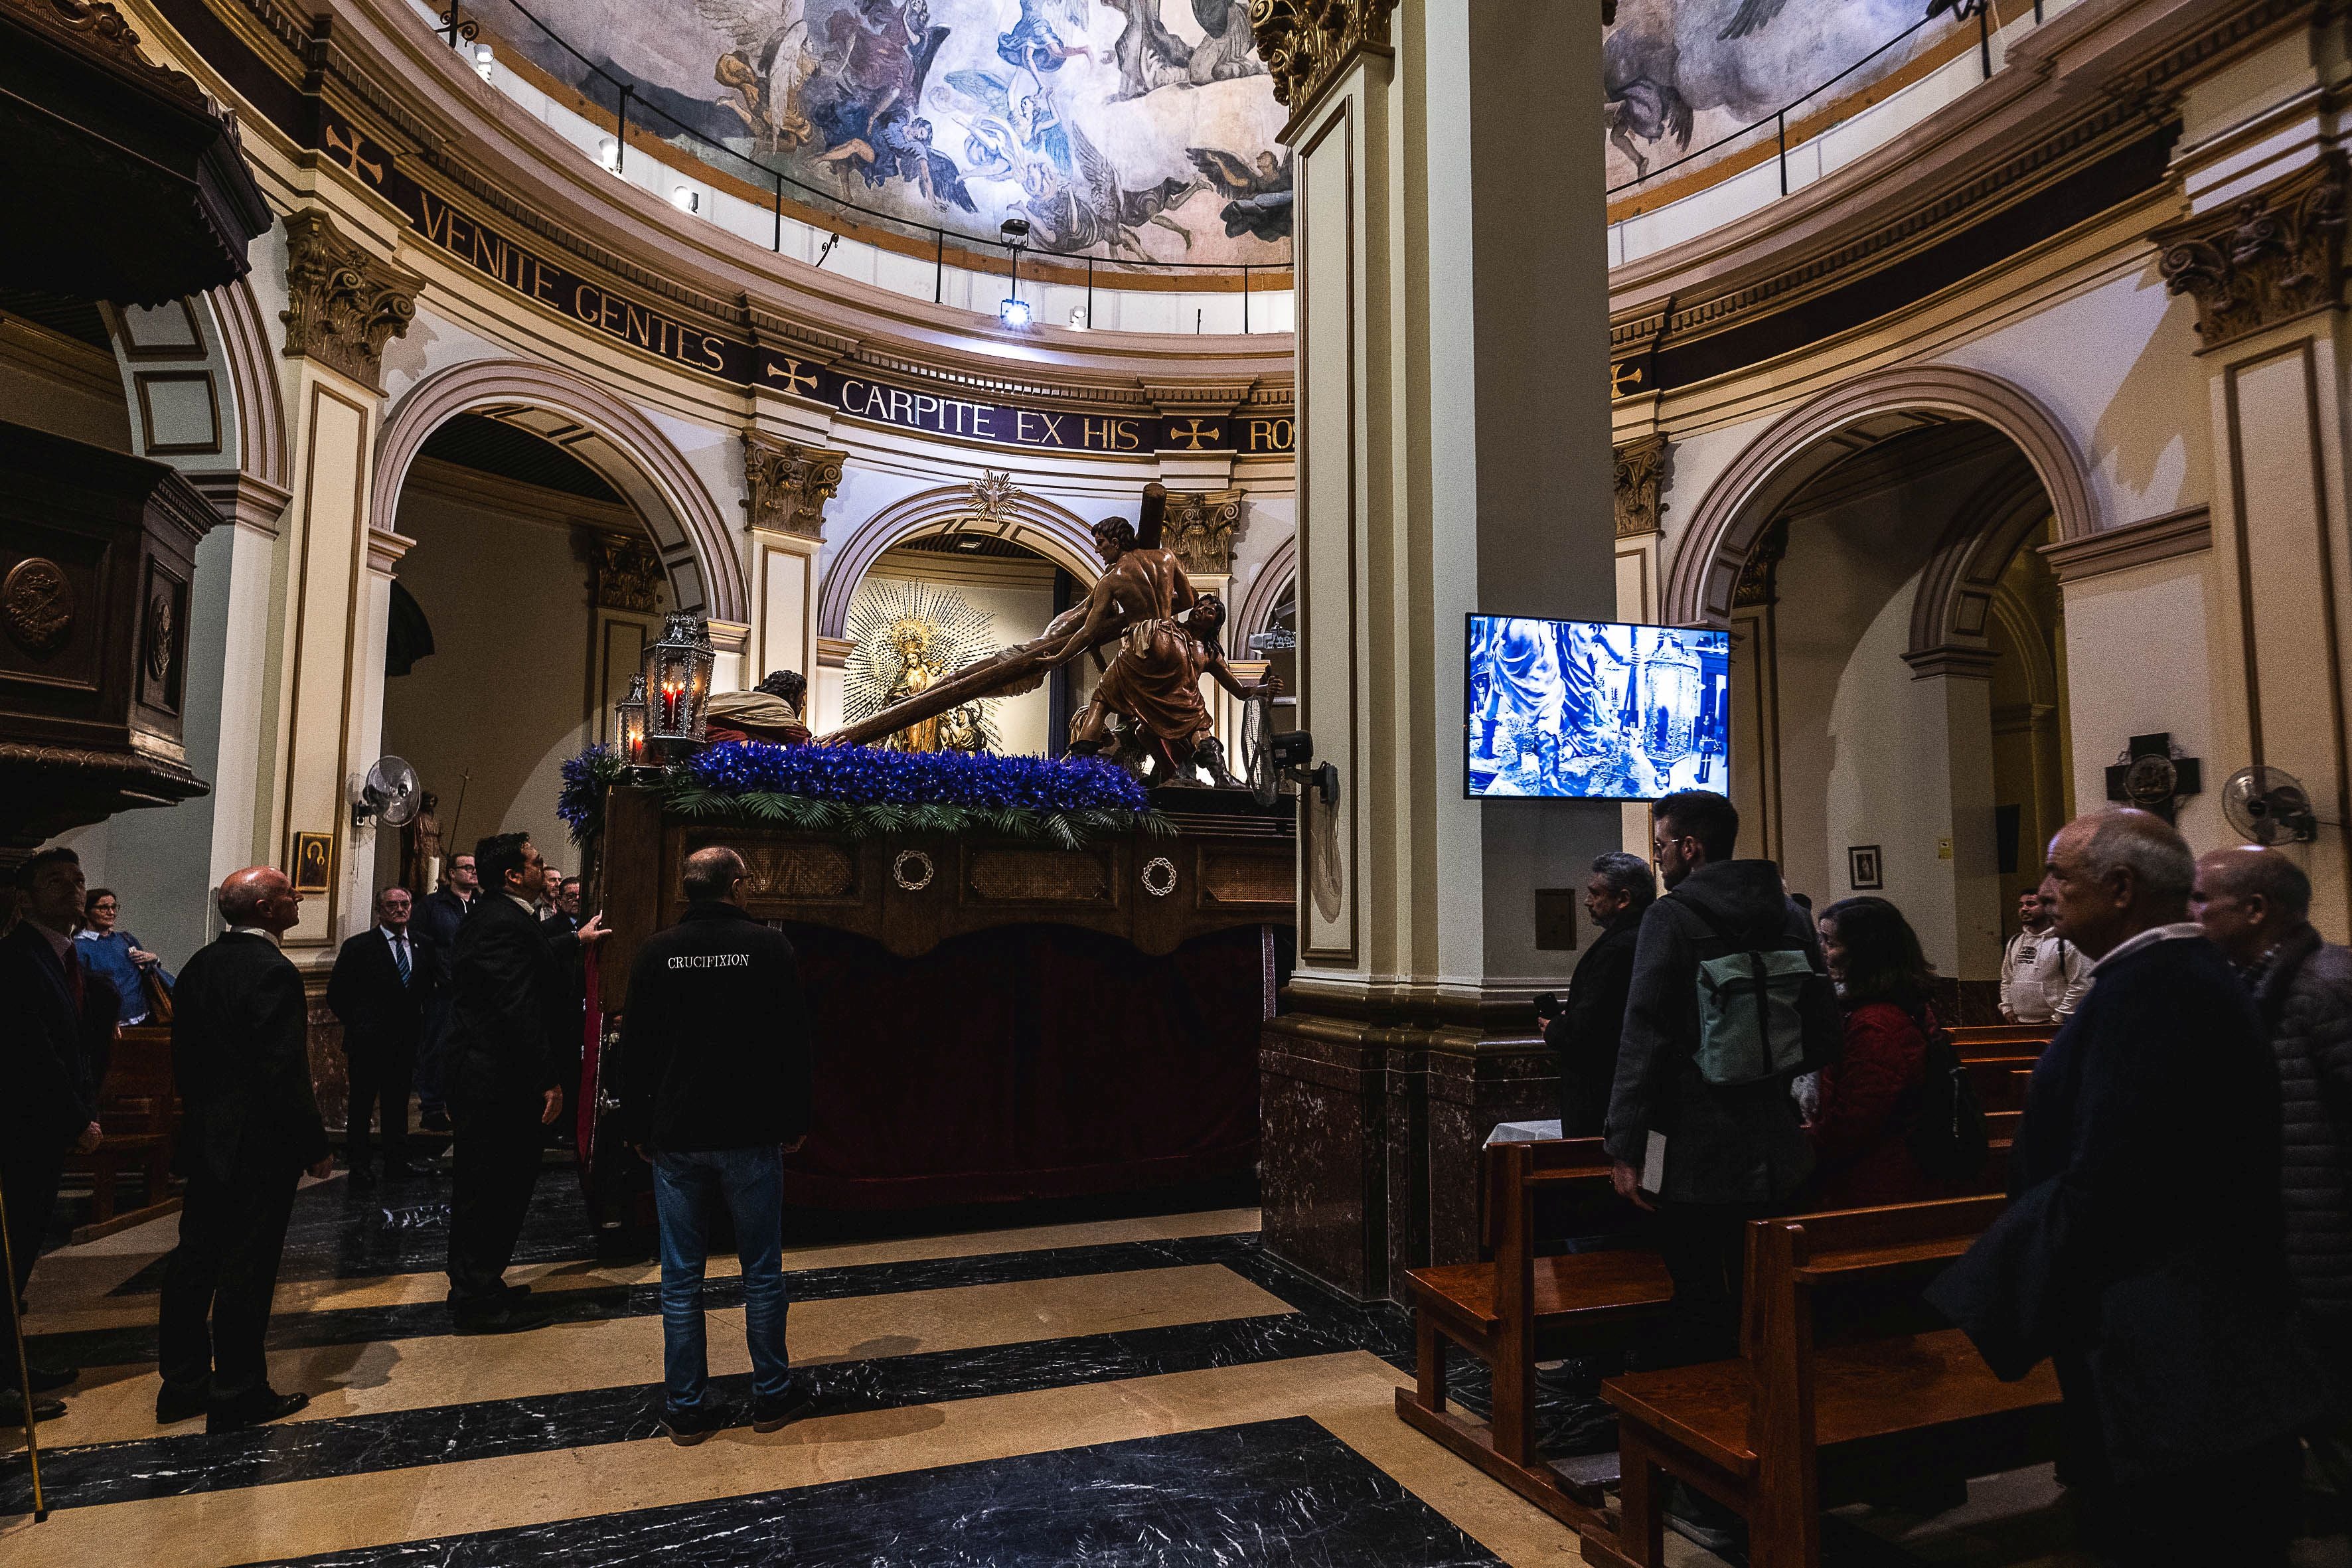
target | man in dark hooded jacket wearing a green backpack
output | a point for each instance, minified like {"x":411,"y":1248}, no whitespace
{"x":1730,"y":1005}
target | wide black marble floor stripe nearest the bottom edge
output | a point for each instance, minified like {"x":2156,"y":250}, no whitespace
{"x":1281,"y":1494}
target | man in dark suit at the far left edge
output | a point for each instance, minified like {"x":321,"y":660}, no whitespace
{"x":48,"y":1104}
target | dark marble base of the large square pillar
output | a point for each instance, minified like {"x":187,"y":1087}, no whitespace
{"x":1372,"y":1130}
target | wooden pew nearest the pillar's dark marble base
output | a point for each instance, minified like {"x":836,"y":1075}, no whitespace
{"x":1504,"y":1313}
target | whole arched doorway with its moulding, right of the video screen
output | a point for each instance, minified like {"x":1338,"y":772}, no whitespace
{"x":1899,"y":699}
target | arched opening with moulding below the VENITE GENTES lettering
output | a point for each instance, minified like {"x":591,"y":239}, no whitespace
{"x":552,"y":530}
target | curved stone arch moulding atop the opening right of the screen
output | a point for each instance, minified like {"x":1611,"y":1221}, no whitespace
{"x":1744,"y":502}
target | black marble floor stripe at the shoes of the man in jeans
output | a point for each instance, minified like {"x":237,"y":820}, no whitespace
{"x":436,"y":1435}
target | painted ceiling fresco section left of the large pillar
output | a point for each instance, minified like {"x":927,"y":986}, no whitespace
{"x":1118,"y":128}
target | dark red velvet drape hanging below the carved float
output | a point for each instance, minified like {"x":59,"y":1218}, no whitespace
{"x":1029,"y":1061}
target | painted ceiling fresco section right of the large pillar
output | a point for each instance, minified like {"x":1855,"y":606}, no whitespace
{"x":1685,"y":74}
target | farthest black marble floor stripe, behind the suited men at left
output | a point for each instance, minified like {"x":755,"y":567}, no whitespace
{"x":403,"y":1228}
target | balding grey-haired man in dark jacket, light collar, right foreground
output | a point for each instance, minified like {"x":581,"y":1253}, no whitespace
{"x":2146,"y":1247}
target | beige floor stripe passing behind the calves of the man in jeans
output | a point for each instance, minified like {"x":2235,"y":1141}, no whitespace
{"x":119,"y":1405}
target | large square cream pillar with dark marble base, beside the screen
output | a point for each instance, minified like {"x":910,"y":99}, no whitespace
{"x":1452,"y":457}
